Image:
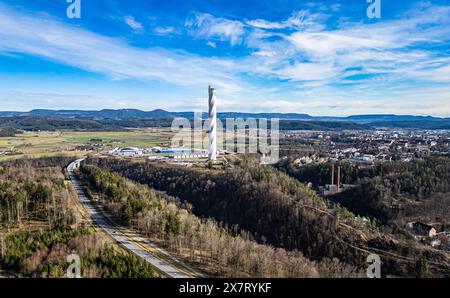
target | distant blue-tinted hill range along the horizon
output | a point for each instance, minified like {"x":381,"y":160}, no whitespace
{"x":126,"y":117}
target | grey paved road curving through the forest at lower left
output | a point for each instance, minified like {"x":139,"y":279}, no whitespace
{"x":98,"y":218}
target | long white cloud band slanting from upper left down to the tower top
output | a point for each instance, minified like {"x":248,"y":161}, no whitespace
{"x":90,"y":51}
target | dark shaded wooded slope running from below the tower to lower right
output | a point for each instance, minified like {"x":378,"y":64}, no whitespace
{"x":279,"y":210}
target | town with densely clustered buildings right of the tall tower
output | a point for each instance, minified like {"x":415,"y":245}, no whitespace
{"x":367,"y":146}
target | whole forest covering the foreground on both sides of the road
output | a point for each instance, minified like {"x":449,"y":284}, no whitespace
{"x":240,"y":221}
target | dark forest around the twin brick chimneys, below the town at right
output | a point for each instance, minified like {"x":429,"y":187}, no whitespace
{"x":387,"y":191}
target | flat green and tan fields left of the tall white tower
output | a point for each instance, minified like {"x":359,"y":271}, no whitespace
{"x":38,"y":144}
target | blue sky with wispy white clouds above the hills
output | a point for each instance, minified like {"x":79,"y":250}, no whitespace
{"x":316,"y":57}
